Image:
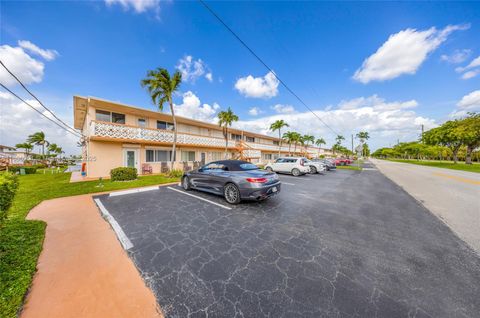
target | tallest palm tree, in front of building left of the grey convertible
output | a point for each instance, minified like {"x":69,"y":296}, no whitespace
{"x":161,"y":87}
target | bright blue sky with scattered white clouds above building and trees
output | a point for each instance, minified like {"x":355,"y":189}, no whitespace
{"x":382,"y":67}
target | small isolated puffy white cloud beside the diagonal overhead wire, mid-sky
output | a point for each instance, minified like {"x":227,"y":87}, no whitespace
{"x":258,"y":87}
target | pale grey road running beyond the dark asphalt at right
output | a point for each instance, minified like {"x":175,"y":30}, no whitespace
{"x":452,"y":195}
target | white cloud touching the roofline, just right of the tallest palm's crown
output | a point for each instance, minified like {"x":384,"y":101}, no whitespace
{"x":191,"y":107}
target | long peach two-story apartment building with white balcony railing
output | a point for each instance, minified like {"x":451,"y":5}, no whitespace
{"x":117,"y":135}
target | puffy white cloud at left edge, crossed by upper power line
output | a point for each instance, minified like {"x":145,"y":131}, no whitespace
{"x":26,"y":68}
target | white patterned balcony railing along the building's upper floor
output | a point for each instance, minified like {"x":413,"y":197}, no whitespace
{"x":138,"y":134}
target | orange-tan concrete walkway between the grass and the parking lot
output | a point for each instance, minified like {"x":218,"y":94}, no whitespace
{"x":83,"y":270}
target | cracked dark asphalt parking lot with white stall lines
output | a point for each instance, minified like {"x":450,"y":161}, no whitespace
{"x":341,"y":244}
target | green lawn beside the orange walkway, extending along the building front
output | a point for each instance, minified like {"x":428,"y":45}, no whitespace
{"x":21,"y":240}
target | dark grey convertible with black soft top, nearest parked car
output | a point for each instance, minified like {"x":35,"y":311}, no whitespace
{"x":236,"y":180}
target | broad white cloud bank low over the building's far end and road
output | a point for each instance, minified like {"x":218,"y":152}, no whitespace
{"x":386,"y":121}
